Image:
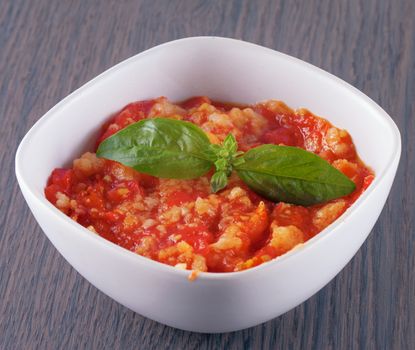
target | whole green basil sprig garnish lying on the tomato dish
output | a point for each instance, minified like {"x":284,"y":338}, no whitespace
{"x":169,"y":148}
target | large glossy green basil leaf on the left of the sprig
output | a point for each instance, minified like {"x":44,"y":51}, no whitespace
{"x":161,"y":147}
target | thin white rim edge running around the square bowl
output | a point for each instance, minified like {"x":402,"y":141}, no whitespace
{"x":322,"y":235}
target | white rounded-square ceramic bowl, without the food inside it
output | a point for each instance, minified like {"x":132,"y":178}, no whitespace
{"x":227,"y":70}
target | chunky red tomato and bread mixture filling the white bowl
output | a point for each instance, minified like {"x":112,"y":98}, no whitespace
{"x":180,"y":222}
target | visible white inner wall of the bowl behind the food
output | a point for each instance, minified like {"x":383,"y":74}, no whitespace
{"x":223,"y":69}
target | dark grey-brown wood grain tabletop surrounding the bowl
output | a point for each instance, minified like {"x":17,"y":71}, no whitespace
{"x":49,"y":48}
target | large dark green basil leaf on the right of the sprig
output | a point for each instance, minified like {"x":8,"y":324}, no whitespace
{"x":293,"y":175}
